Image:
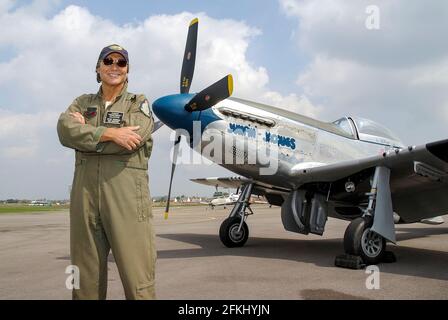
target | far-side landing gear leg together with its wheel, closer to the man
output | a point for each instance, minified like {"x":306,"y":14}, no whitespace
{"x":234,"y":231}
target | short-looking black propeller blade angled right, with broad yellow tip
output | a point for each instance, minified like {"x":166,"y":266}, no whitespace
{"x":212,"y":95}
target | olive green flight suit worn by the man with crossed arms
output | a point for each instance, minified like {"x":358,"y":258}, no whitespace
{"x":110,"y":204}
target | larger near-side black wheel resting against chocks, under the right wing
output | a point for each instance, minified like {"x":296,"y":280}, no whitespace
{"x":360,"y":240}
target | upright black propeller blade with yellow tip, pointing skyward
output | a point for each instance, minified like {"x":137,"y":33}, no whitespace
{"x":189,"y":57}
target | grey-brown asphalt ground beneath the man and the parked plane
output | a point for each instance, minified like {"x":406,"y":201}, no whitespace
{"x":193,"y":264}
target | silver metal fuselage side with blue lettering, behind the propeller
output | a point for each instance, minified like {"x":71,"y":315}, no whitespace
{"x":306,"y":142}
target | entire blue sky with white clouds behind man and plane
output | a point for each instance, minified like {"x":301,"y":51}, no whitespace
{"x":315,"y":57}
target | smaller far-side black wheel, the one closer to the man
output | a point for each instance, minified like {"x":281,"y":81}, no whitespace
{"x":229,"y":235}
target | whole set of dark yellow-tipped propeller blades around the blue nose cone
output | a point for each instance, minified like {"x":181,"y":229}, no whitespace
{"x":204,"y":100}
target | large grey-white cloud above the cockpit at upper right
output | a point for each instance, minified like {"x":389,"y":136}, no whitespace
{"x":396,"y":75}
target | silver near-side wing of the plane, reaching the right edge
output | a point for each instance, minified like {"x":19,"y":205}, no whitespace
{"x":418,"y":181}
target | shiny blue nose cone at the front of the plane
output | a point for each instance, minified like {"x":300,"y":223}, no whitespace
{"x":171,"y":110}
